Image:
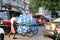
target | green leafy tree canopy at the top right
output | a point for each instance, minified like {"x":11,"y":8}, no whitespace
{"x":52,"y":5}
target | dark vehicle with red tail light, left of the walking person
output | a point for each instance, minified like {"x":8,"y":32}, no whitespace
{"x":5,"y":16}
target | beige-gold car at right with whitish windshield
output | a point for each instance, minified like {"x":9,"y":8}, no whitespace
{"x":51,"y":27}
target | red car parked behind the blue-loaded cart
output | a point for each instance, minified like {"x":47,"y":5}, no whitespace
{"x":40,"y":19}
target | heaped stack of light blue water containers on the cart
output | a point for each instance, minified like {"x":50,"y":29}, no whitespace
{"x":24,"y":22}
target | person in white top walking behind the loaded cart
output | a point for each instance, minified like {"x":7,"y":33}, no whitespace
{"x":13,"y":26}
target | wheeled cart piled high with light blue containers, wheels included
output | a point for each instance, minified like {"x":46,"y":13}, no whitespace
{"x":27,"y":25}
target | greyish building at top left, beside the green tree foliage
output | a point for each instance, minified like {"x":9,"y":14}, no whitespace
{"x":17,"y":5}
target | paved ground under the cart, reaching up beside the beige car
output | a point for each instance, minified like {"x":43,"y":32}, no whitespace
{"x":39,"y":36}
